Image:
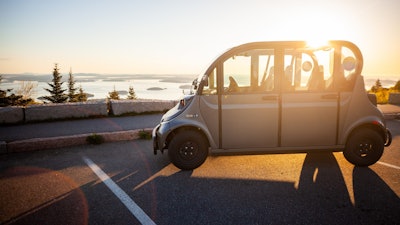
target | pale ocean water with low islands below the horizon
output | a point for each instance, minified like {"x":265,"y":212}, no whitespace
{"x":148,"y":86}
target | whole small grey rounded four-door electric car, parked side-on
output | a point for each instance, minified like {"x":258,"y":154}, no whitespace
{"x":267,"y":97}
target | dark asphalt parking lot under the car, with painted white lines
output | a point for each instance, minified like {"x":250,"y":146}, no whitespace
{"x":124,"y":183}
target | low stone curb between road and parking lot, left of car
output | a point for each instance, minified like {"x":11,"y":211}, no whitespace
{"x":36,"y":144}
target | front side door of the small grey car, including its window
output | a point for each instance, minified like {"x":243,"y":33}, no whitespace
{"x":249,"y":104}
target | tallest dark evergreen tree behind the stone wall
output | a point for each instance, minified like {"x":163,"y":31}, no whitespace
{"x":56,"y":91}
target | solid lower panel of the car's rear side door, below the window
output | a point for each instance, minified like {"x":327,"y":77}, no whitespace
{"x":309,"y":119}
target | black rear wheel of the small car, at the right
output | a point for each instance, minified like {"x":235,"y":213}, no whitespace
{"x":364,"y":147}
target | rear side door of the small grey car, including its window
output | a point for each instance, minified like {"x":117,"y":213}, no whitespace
{"x":309,"y":110}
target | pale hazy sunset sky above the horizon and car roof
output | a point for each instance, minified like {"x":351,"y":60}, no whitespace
{"x":183,"y":36}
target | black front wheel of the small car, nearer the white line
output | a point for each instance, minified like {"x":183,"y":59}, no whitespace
{"x":188,"y":150}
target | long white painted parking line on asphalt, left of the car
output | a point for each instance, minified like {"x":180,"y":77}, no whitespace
{"x":123,"y":197}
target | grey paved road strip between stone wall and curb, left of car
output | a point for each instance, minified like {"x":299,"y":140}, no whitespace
{"x":71,"y":127}
